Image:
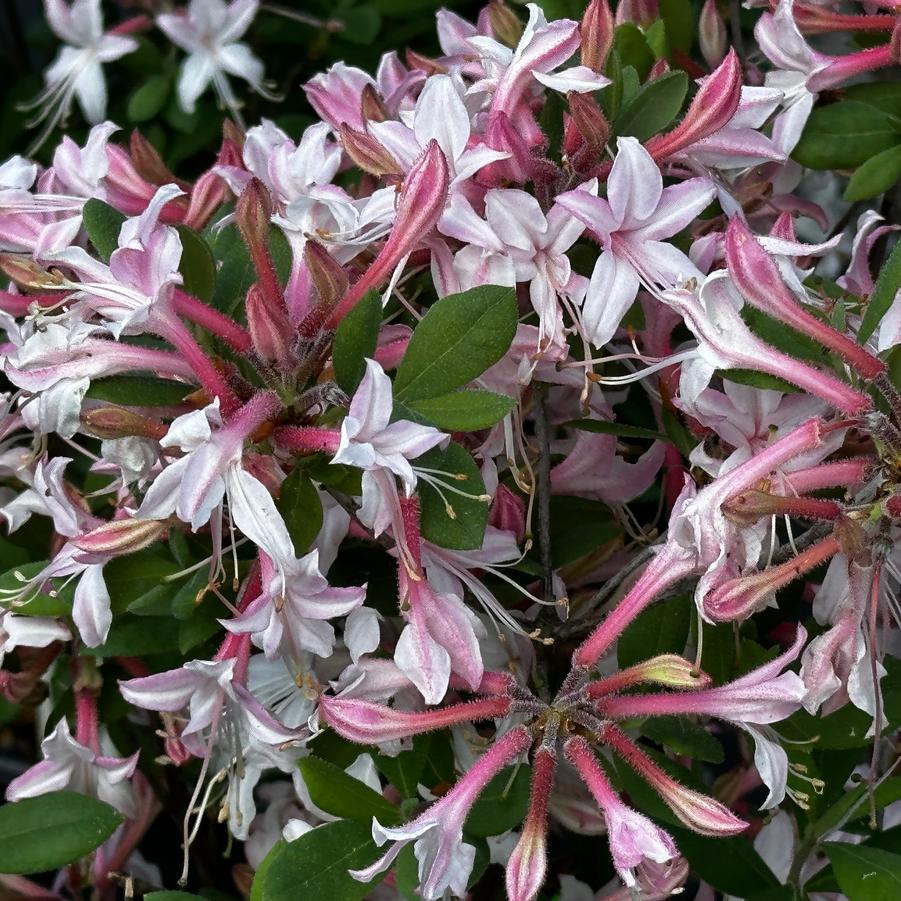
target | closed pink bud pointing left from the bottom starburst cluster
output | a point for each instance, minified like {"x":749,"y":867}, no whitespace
{"x":367,"y":723}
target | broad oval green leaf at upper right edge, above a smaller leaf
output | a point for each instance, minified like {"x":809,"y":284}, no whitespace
{"x":844,"y":135}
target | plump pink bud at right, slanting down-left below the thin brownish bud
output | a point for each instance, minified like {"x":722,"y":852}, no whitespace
{"x":738,"y":598}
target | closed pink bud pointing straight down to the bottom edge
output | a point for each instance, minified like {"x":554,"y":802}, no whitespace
{"x":527,"y":865}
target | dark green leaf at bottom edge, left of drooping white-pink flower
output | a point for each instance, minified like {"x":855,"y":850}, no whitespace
{"x":316,"y":864}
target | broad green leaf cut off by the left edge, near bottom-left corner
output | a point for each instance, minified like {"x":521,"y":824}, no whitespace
{"x":53,"y":830}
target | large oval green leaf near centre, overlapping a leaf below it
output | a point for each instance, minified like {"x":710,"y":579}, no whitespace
{"x":457,"y":340}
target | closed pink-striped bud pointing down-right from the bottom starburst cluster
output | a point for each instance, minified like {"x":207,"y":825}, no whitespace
{"x":699,"y":812}
